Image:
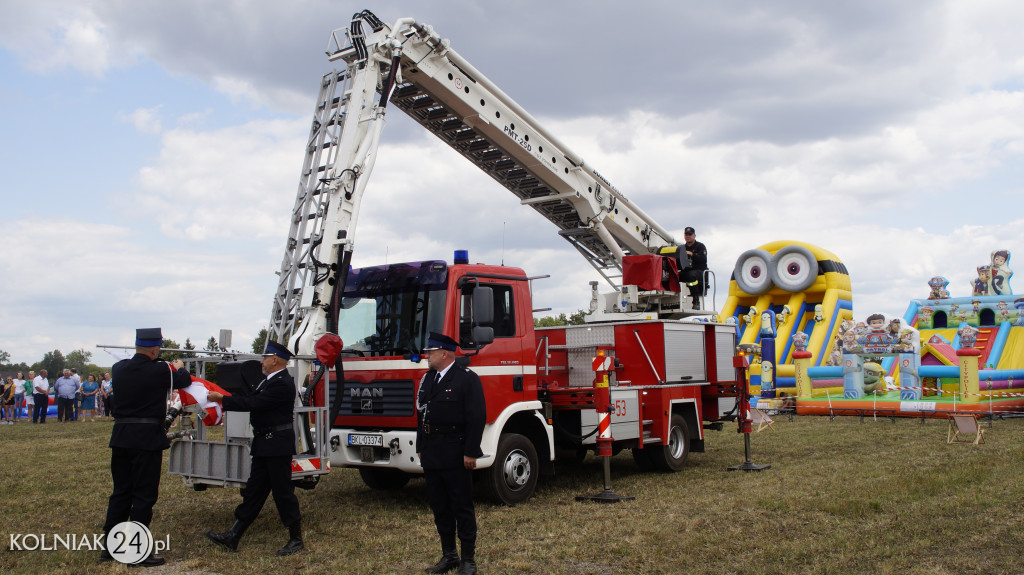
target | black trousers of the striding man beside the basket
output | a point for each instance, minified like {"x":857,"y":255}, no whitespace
{"x":270,"y":475}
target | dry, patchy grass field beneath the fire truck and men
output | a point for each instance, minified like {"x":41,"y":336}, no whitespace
{"x":842,"y":498}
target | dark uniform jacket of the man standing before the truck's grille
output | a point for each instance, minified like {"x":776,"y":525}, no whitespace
{"x":455,"y":408}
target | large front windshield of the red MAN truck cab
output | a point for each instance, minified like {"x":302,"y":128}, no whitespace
{"x":391,"y":311}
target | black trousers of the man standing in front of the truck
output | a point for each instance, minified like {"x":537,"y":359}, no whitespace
{"x":451,"y":495}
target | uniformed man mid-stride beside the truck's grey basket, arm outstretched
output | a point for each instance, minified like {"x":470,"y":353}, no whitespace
{"x":272,"y":407}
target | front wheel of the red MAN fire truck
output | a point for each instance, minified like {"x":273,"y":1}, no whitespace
{"x":514,"y":477}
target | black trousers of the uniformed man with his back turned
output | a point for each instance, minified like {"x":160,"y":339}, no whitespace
{"x":137,"y":485}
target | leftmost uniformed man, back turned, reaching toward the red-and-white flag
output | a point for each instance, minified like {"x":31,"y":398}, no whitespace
{"x":139,"y":440}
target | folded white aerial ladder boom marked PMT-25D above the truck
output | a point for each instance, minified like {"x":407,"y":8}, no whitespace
{"x":410,"y":67}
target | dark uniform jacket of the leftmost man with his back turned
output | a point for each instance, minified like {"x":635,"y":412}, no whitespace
{"x":142,"y":385}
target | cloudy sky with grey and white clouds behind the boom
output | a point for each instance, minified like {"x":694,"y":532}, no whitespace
{"x":150,"y":152}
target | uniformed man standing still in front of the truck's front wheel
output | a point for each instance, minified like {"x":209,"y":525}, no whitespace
{"x":452,"y":414}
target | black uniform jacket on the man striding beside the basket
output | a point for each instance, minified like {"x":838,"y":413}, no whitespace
{"x":271,"y":406}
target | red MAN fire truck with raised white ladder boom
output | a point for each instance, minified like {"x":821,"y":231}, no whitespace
{"x":671,"y":377}
